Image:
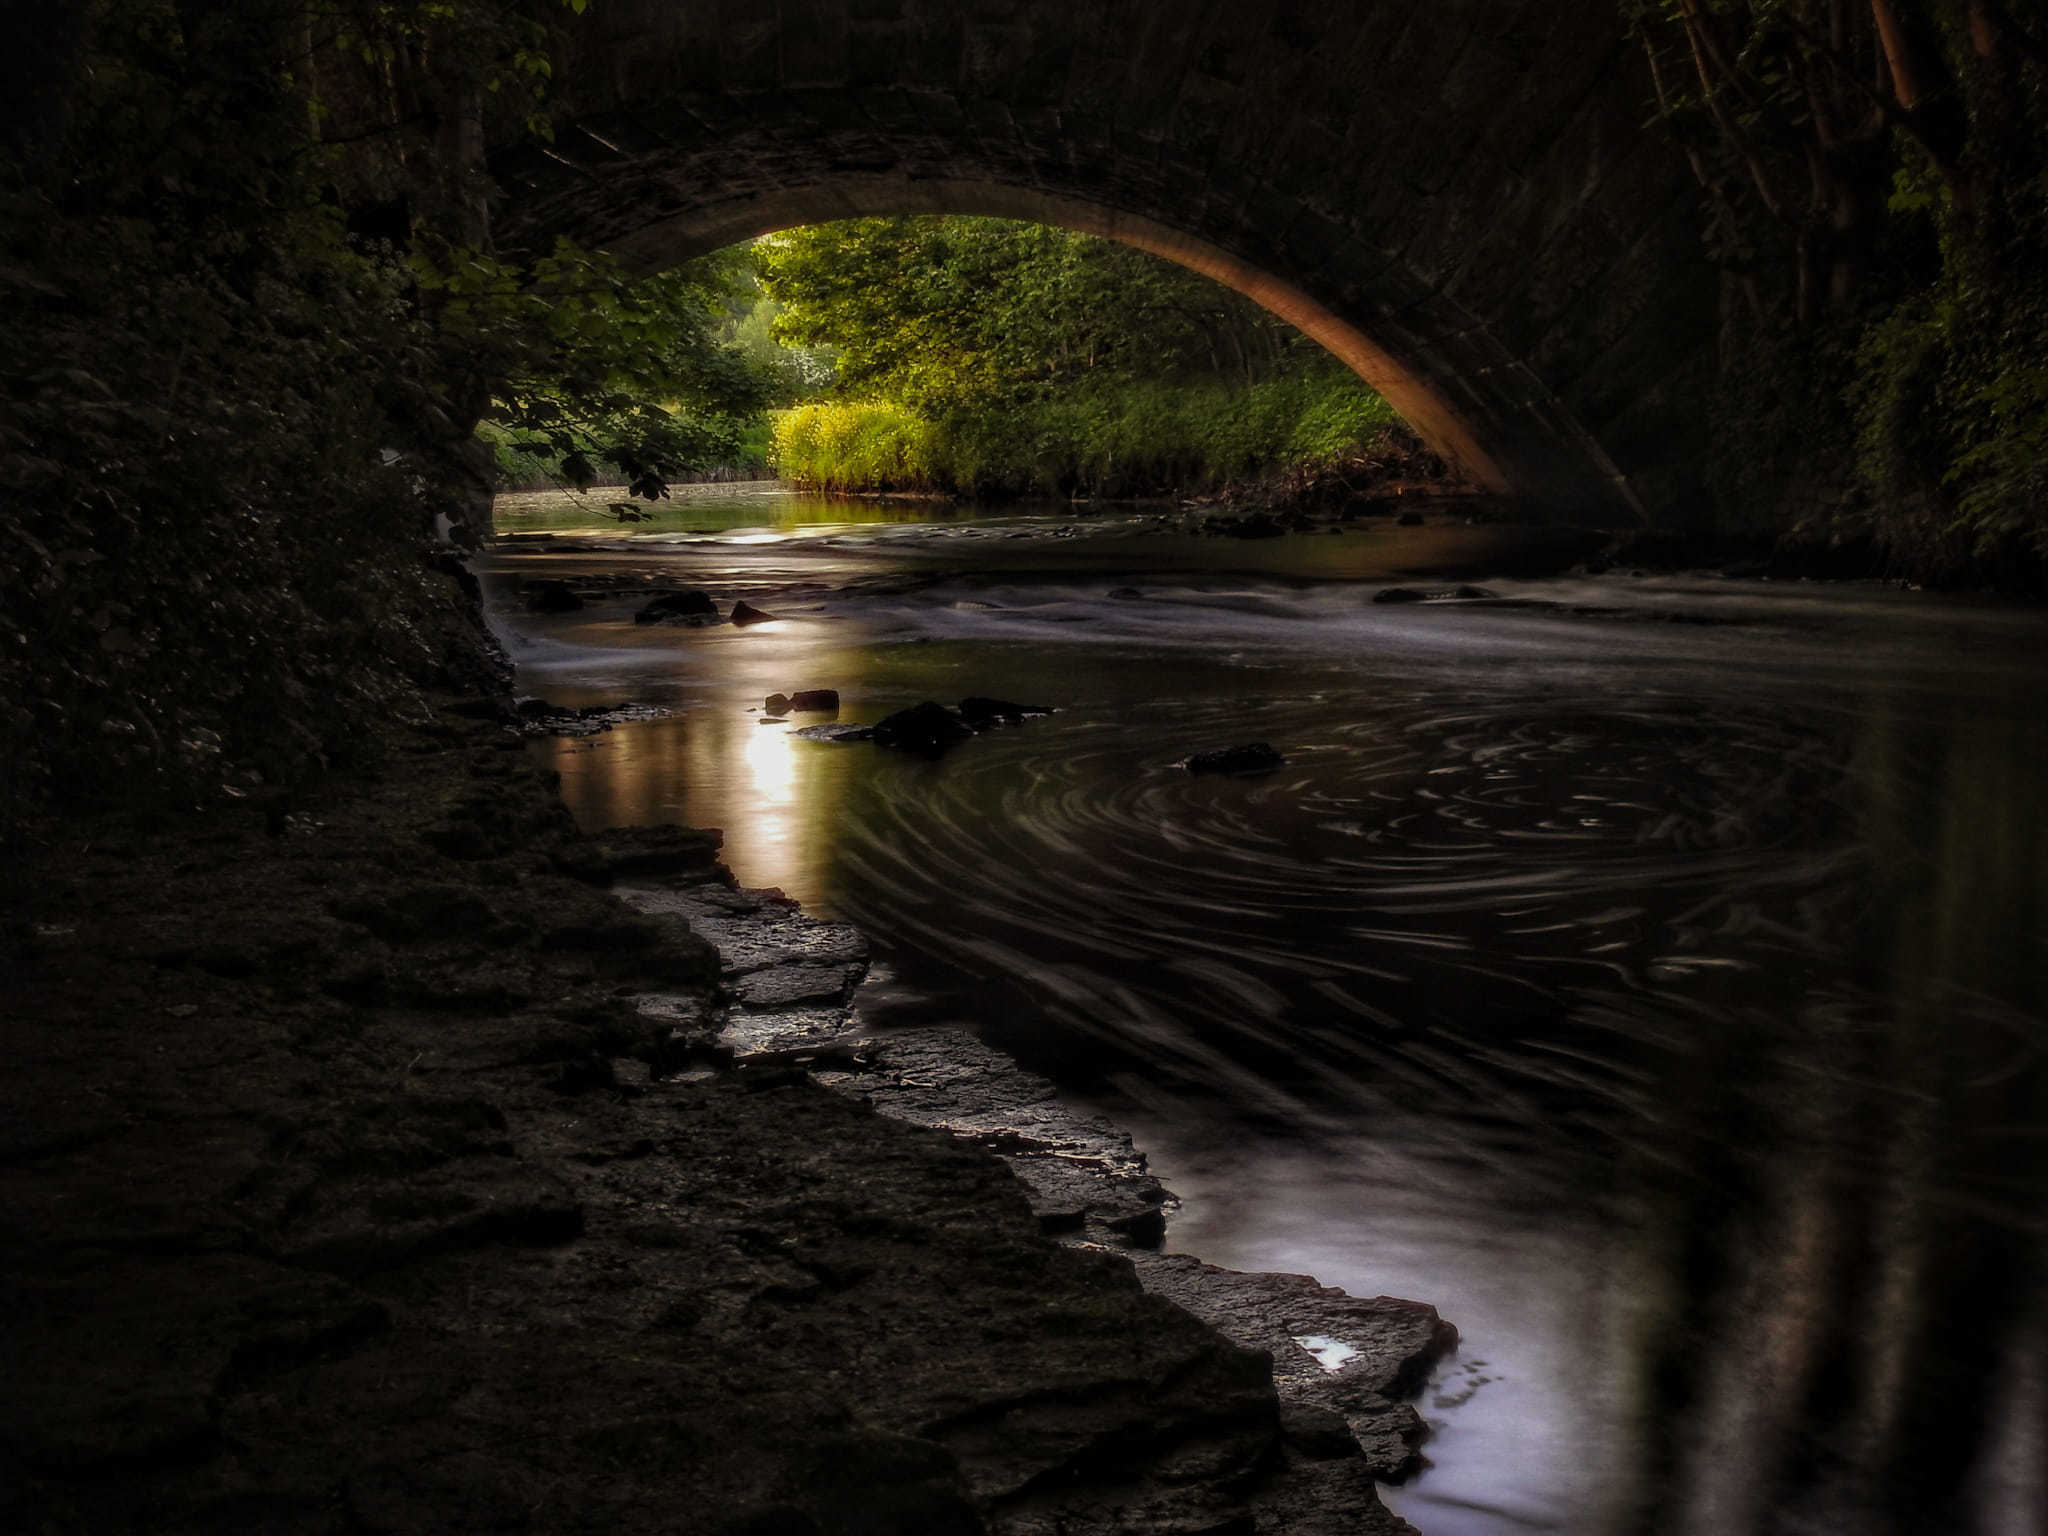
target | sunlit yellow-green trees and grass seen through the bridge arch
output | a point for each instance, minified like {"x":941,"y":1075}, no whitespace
{"x":1039,"y":361}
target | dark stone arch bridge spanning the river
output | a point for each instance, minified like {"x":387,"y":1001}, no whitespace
{"x":1461,"y":200}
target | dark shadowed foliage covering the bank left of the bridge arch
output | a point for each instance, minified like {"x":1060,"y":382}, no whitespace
{"x":230,"y":419}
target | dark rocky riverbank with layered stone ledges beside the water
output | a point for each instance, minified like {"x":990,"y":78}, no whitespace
{"x":368,"y":1166}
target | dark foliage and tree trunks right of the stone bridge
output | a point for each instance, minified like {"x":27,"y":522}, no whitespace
{"x":1877,"y":185}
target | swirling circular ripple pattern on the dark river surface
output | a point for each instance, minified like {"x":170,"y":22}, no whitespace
{"x":1416,"y":910}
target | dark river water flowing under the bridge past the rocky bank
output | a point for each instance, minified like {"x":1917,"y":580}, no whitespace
{"x":1648,"y":972}
